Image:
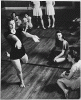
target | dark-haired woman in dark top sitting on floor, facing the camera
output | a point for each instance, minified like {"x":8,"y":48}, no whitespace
{"x":60,"y":52}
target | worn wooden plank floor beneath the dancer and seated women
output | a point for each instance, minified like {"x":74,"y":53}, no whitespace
{"x":40,"y":80}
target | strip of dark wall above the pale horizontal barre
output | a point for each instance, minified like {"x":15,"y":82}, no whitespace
{"x":29,"y":3}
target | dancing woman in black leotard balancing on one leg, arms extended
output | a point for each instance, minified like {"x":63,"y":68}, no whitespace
{"x":14,"y":37}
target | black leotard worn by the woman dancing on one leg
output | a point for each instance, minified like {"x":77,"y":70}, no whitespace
{"x":15,"y":53}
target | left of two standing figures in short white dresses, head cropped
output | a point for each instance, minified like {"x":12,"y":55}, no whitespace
{"x":37,"y":12}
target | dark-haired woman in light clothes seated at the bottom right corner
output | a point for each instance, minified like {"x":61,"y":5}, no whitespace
{"x":73,"y":78}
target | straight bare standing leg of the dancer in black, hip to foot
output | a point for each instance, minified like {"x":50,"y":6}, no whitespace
{"x":18,"y":68}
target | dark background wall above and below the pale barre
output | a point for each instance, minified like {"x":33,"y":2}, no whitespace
{"x":62,"y":16}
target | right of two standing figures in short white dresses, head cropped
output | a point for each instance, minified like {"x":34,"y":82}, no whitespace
{"x":50,"y":12}
